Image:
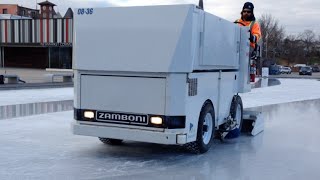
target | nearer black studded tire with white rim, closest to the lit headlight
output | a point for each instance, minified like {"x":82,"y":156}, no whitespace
{"x":207,"y":116}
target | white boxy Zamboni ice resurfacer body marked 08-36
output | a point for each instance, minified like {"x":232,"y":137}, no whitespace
{"x":133,"y":64}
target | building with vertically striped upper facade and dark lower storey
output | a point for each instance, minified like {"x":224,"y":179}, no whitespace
{"x":42,"y":42}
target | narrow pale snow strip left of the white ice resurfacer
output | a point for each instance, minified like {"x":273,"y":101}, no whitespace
{"x":25,"y":96}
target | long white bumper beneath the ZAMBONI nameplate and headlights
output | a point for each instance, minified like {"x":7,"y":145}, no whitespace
{"x":141,"y":135}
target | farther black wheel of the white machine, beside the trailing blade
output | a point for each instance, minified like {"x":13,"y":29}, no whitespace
{"x":236,"y":105}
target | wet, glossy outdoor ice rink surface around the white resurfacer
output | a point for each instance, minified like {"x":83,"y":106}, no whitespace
{"x":43,"y":147}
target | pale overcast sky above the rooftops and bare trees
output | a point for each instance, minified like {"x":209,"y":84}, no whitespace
{"x":294,"y":15}
